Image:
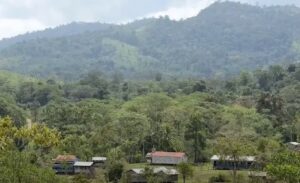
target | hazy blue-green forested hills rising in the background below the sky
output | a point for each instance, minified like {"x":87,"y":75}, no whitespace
{"x":222,"y":40}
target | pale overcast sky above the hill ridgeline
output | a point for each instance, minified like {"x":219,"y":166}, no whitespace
{"x":21,"y":16}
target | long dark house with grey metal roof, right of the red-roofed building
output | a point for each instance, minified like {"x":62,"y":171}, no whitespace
{"x":228,"y":163}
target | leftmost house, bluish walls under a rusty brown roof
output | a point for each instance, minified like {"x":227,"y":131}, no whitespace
{"x":64,"y":164}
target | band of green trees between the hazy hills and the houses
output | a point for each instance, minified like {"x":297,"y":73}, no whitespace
{"x":252,"y":114}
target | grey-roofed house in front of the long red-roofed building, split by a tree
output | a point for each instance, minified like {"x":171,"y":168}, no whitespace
{"x":161,"y":173}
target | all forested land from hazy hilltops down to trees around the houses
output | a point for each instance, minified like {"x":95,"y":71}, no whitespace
{"x":225,"y":82}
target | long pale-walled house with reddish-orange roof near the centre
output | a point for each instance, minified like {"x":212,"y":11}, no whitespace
{"x":166,"y":158}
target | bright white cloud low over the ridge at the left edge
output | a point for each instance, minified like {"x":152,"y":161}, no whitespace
{"x":11,"y":27}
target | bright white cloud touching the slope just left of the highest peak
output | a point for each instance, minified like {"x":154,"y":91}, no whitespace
{"x":184,"y":9}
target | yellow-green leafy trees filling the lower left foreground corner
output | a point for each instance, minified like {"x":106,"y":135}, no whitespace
{"x":23,"y":153}
